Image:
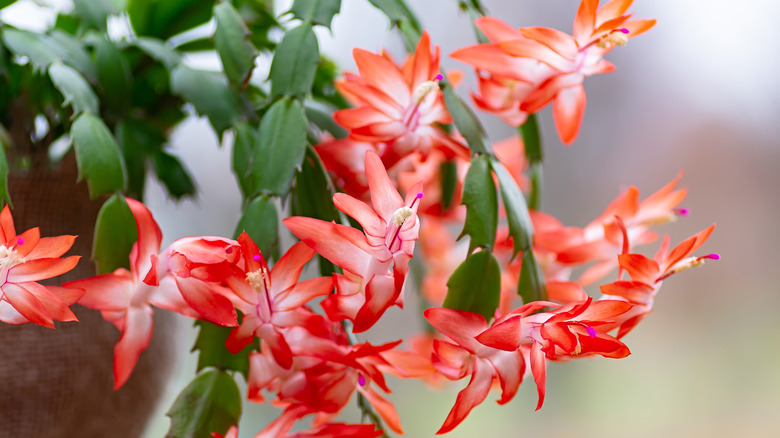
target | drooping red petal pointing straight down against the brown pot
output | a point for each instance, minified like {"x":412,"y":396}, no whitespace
{"x":136,"y":334}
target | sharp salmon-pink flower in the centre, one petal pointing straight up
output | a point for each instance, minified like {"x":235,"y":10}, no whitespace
{"x":375,"y":262}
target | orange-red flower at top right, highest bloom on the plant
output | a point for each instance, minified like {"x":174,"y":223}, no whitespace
{"x":530,"y":67}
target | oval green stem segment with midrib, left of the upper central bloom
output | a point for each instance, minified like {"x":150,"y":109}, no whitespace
{"x":281,"y":145}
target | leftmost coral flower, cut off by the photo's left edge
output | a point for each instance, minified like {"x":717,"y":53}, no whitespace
{"x":26,"y":259}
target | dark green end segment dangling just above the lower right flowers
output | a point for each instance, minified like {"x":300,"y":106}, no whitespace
{"x":475,"y":286}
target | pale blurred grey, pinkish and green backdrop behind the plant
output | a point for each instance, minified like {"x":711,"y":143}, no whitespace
{"x":699,"y":94}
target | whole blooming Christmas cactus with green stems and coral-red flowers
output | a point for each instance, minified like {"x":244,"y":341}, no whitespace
{"x":384,"y":175}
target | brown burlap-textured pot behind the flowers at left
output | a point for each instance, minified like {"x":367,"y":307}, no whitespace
{"x":59,"y":383}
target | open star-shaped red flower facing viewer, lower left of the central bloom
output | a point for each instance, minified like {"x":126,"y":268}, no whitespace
{"x":273,"y":299}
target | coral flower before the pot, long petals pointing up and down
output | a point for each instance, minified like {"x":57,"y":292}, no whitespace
{"x":126,"y":301}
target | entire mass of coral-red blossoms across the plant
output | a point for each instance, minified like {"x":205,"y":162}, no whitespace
{"x":311,"y":361}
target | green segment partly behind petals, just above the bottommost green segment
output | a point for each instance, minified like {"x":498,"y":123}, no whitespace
{"x":210,"y":345}
